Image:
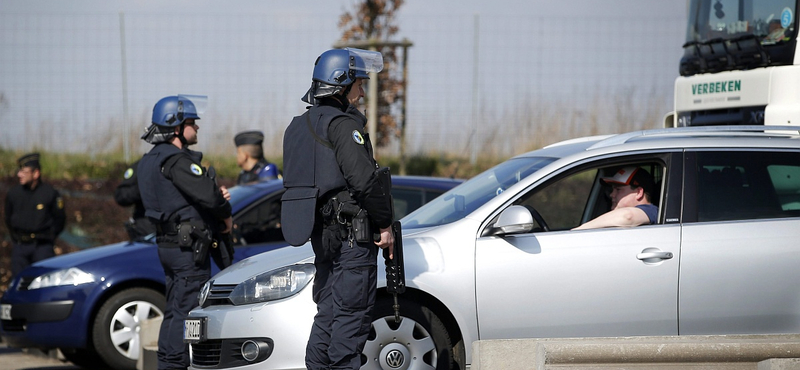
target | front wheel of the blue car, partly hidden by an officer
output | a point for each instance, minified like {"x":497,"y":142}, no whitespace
{"x":115,"y":332}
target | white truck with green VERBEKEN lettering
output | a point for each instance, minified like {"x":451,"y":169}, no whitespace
{"x":740,"y":65}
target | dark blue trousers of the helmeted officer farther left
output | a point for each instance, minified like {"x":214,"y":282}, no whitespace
{"x":184,"y":279}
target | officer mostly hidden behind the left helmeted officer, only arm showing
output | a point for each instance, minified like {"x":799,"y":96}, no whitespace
{"x":127,"y":194}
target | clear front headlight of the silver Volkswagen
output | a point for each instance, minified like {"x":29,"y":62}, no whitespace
{"x":276,"y":284}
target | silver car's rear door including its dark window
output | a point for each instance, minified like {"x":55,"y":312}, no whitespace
{"x":739,"y":266}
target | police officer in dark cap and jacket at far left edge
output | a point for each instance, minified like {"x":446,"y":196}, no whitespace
{"x":34,"y":215}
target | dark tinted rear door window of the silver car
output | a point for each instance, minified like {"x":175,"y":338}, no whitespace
{"x":747,"y":185}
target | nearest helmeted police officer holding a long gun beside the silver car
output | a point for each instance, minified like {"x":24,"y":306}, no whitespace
{"x":331,"y":182}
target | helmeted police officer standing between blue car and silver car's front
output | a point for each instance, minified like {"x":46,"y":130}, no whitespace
{"x":184,"y":203}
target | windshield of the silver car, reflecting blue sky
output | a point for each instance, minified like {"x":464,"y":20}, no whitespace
{"x":467,"y":197}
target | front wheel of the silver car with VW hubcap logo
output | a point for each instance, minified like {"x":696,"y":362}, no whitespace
{"x":420,"y":338}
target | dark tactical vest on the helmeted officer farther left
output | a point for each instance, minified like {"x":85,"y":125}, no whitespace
{"x":162,"y":200}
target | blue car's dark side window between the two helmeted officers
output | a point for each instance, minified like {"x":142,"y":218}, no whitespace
{"x":259,"y":224}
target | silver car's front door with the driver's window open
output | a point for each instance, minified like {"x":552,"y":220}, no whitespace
{"x":571,"y":283}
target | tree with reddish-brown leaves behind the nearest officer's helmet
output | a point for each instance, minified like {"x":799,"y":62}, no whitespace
{"x":375,"y":20}
